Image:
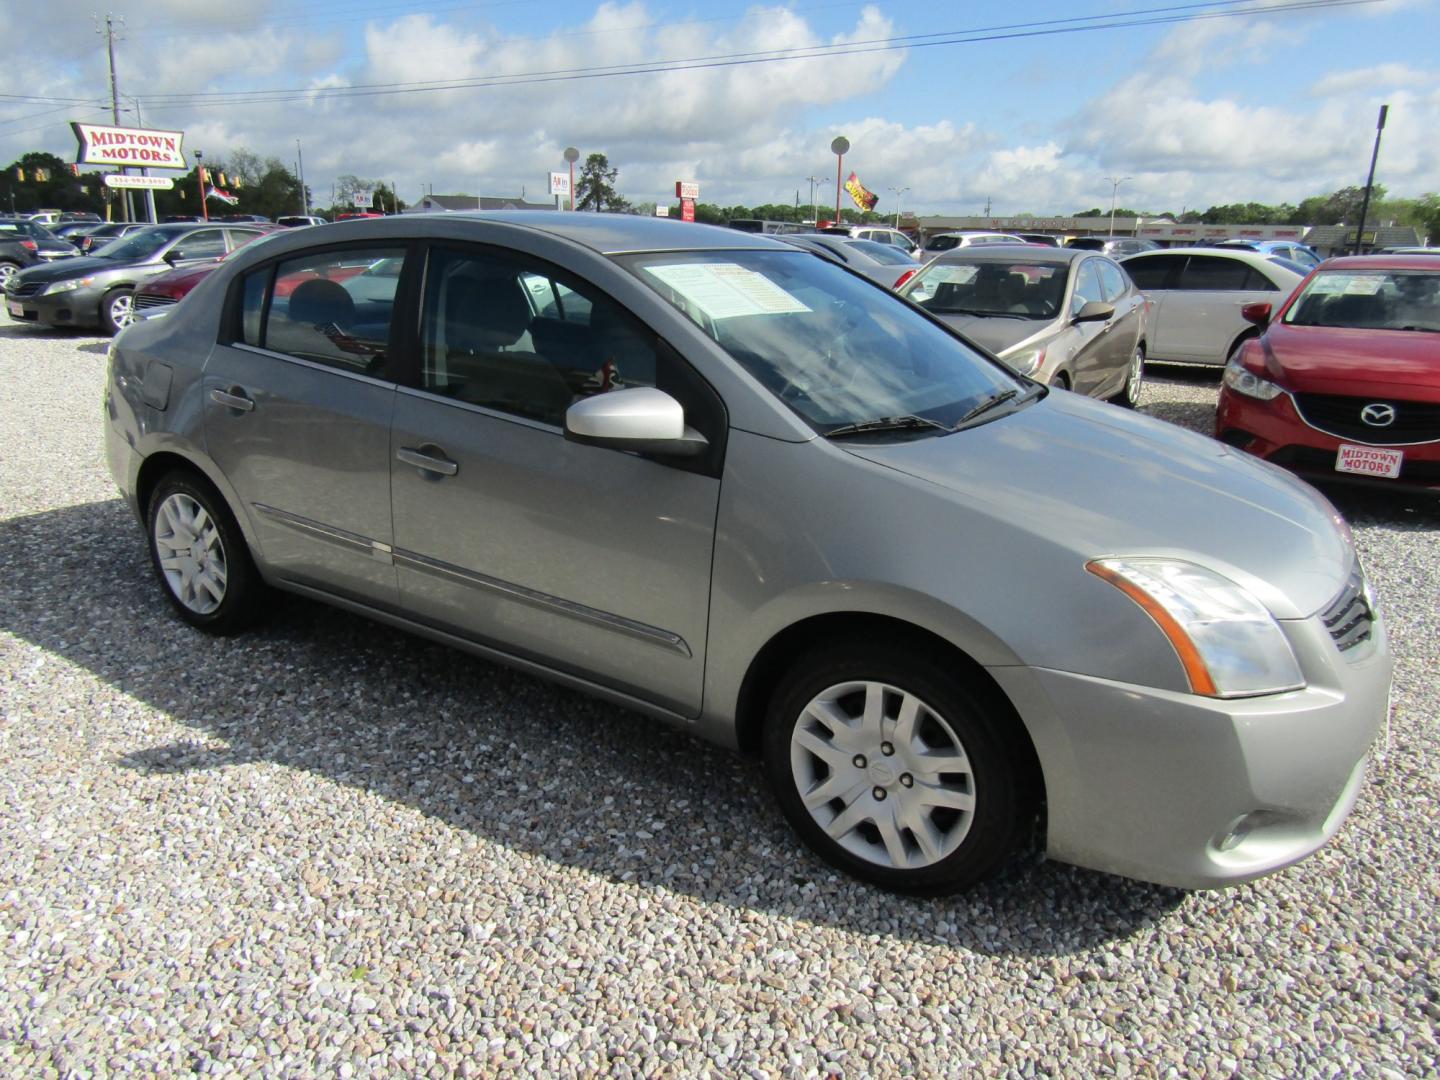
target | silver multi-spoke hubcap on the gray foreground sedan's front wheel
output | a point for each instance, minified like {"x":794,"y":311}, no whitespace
{"x":883,"y":775}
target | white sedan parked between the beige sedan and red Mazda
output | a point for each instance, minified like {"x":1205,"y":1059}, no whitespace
{"x":1196,"y":297}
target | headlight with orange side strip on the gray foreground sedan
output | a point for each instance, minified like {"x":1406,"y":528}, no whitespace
{"x":1226,"y":640}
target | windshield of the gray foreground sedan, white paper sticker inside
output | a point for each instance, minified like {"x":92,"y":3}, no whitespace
{"x":833,"y":348}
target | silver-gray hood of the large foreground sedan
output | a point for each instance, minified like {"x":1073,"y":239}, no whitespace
{"x":1102,"y":482}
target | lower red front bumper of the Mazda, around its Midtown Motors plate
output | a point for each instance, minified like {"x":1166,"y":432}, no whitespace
{"x":1277,"y":433}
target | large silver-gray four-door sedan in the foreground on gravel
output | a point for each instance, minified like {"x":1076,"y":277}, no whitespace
{"x":719,"y":480}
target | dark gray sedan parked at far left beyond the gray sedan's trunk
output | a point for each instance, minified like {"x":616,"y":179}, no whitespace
{"x":99,"y":290}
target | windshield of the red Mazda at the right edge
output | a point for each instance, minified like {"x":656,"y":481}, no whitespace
{"x":1374,"y":300}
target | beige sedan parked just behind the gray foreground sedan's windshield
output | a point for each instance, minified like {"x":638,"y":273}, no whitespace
{"x":1061,"y":316}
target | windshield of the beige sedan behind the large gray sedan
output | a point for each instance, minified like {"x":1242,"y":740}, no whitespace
{"x":990,"y":287}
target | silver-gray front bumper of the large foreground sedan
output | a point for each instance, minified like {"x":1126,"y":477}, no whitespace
{"x":1200,"y":793}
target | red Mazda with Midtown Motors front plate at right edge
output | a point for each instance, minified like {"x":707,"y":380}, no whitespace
{"x":1344,"y":384}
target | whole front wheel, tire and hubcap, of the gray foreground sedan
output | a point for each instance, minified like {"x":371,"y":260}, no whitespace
{"x":894,"y":817}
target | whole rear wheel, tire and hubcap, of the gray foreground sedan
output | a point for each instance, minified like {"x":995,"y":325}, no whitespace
{"x":199,"y":557}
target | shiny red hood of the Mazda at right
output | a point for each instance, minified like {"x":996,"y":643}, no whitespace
{"x":1351,"y":362}
